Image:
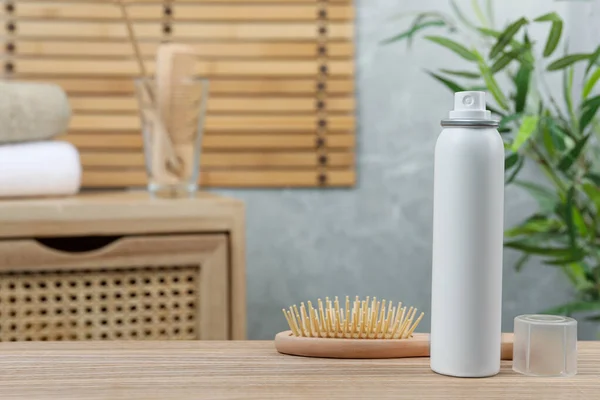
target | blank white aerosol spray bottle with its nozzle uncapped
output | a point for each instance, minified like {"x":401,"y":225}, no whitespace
{"x":468,"y":219}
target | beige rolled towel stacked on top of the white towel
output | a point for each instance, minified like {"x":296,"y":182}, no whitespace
{"x":32,"y":111}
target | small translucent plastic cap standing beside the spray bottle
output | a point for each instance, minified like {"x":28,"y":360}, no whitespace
{"x":545,"y":345}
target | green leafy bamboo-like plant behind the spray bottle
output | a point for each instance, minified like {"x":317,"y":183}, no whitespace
{"x":556,"y":132}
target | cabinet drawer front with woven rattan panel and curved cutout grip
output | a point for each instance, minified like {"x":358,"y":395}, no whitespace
{"x":134,"y":287}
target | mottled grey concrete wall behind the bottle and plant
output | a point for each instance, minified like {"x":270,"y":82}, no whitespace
{"x":375,"y":239}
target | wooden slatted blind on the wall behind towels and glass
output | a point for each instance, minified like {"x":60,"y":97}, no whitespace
{"x":281,"y":107}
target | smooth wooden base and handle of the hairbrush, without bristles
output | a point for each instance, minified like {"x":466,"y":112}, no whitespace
{"x":416,"y":346}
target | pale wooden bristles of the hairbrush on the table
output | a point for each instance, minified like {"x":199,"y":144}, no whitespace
{"x":363,"y":319}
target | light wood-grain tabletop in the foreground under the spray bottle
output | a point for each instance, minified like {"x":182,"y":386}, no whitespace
{"x":254,"y":370}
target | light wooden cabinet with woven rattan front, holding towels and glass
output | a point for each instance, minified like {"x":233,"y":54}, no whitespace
{"x":118,"y":266}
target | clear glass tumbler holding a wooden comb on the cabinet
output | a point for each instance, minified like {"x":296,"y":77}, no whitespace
{"x":172,"y":129}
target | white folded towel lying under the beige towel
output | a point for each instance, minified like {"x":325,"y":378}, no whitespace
{"x":39,"y":169}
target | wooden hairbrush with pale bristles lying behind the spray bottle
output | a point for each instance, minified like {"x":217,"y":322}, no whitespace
{"x":361,"y":329}
